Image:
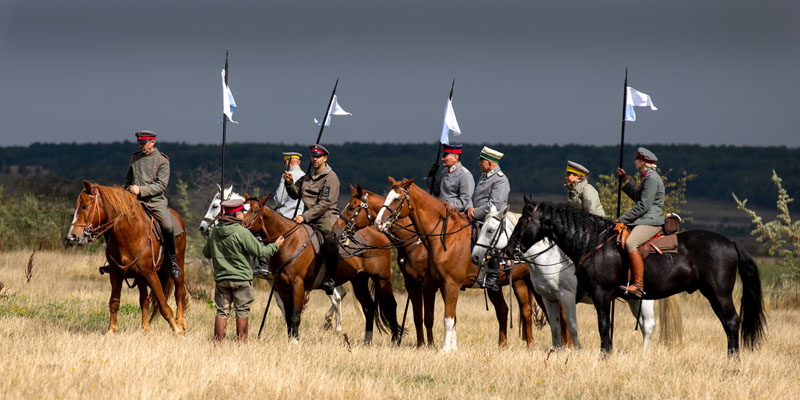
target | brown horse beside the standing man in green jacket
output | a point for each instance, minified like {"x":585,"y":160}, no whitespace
{"x":298,"y":269}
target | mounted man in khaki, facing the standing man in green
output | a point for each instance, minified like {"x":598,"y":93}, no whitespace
{"x":319,"y":192}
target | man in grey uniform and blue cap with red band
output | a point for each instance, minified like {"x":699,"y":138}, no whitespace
{"x":455,"y":182}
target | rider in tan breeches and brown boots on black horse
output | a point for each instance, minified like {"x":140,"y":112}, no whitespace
{"x":646,"y":215}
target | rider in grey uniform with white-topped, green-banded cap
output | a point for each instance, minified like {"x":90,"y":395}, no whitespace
{"x":492,"y":189}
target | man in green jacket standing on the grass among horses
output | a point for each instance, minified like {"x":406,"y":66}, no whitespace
{"x":228,"y":247}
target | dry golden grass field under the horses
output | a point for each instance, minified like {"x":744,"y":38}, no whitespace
{"x":52,"y":330}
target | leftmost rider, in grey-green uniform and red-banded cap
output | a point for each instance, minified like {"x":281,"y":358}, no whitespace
{"x":147,"y":178}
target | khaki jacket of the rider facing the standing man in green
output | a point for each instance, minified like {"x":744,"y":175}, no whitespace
{"x":320,"y":196}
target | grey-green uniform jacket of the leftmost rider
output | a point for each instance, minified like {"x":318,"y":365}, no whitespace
{"x":151,"y":174}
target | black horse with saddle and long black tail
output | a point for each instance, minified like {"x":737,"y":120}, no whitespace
{"x":706,"y":261}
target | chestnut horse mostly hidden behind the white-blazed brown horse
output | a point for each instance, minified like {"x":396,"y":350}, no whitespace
{"x":361,"y":211}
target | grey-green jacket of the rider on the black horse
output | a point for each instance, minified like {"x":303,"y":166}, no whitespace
{"x":648,"y":200}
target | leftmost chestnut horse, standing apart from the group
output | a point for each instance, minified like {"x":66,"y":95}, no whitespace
{"x":131,"y":250}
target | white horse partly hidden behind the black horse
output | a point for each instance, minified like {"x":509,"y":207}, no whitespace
{"x":553,"y":276}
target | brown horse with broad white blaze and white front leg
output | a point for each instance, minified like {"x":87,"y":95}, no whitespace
{"x":446,"y":235}
